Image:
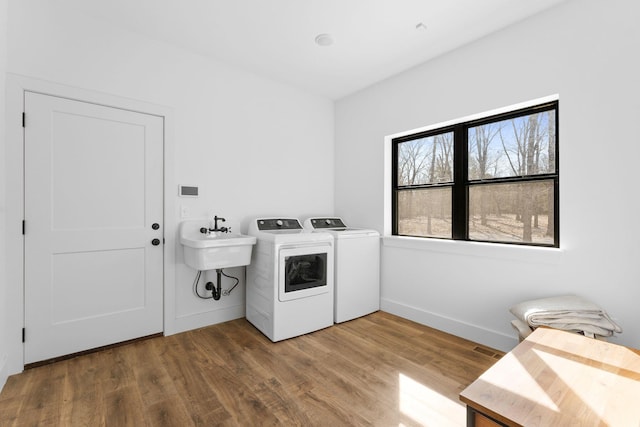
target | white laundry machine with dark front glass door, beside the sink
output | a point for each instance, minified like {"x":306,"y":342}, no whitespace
{"x":290,"y":279}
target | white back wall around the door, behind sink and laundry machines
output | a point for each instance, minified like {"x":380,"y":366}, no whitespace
{"x":244,"y":140}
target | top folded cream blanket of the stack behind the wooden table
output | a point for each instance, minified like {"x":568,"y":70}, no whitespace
{"x":568,"y":312}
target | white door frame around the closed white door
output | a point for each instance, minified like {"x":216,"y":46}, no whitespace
{"x":16,"y":86}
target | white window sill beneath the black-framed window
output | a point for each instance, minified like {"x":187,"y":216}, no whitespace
{"x":499,"y":251}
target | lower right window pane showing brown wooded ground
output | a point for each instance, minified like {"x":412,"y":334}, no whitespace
{"x":522,"y":212}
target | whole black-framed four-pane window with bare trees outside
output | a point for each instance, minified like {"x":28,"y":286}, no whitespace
{"x":489,"y":180}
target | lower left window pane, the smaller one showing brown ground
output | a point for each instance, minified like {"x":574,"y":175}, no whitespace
{"x":425,"y":212}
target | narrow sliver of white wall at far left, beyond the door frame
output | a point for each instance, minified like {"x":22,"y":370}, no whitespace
{"x":4,"y":347}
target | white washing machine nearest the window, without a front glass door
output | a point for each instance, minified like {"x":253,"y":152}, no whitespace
{"x":357,"y":267}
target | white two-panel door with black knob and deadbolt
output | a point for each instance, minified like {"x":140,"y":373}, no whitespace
{"x":93,"y":196}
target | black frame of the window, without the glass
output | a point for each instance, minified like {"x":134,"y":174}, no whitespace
{"x":461,"y":183}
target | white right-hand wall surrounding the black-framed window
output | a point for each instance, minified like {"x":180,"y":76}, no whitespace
{"x":586,"y":52}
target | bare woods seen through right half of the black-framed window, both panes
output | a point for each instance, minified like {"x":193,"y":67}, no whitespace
{"x":519,"y":147}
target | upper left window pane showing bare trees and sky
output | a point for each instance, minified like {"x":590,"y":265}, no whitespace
{"x":426,"y":160}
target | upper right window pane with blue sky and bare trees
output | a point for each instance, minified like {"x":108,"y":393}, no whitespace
{"x":516,"y":147}
